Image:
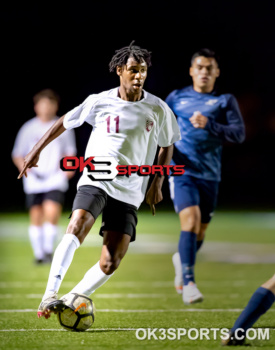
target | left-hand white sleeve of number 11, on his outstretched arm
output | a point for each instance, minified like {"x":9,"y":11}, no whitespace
{"x":77,"y":116}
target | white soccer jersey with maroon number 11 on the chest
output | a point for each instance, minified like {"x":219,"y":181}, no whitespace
{"x":128,"y":131}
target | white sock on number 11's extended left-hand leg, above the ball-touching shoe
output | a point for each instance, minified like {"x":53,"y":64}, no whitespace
{"x":62,"y":259}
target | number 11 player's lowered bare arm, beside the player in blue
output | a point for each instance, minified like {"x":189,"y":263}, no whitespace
{"x":154,"y":194}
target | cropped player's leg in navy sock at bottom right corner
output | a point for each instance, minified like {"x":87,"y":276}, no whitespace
{"x":261,"y":301}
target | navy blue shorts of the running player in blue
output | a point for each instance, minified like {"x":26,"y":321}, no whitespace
{"x":187,"y":191}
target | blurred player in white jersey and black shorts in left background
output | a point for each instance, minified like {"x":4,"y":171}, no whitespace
{"x":46,"y":184}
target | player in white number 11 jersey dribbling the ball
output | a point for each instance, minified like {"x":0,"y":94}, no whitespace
{"x":120,"y":119}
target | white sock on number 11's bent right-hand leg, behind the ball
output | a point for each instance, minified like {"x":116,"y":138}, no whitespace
{"x":93,"y":279}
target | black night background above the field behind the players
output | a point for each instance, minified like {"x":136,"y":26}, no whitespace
{"x":67,"y":47}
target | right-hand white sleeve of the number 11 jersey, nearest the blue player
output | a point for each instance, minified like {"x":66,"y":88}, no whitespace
{"x":169,"y":129}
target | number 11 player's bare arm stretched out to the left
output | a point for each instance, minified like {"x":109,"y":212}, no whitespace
{"x":32,"y":157}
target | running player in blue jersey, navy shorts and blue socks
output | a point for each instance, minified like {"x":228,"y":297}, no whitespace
{"x":206,"y":119}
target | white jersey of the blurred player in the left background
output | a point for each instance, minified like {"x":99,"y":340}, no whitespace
{"x":47,"y":176}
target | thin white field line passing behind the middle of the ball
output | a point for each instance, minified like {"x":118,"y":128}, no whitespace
{"x":139,"y":310}
